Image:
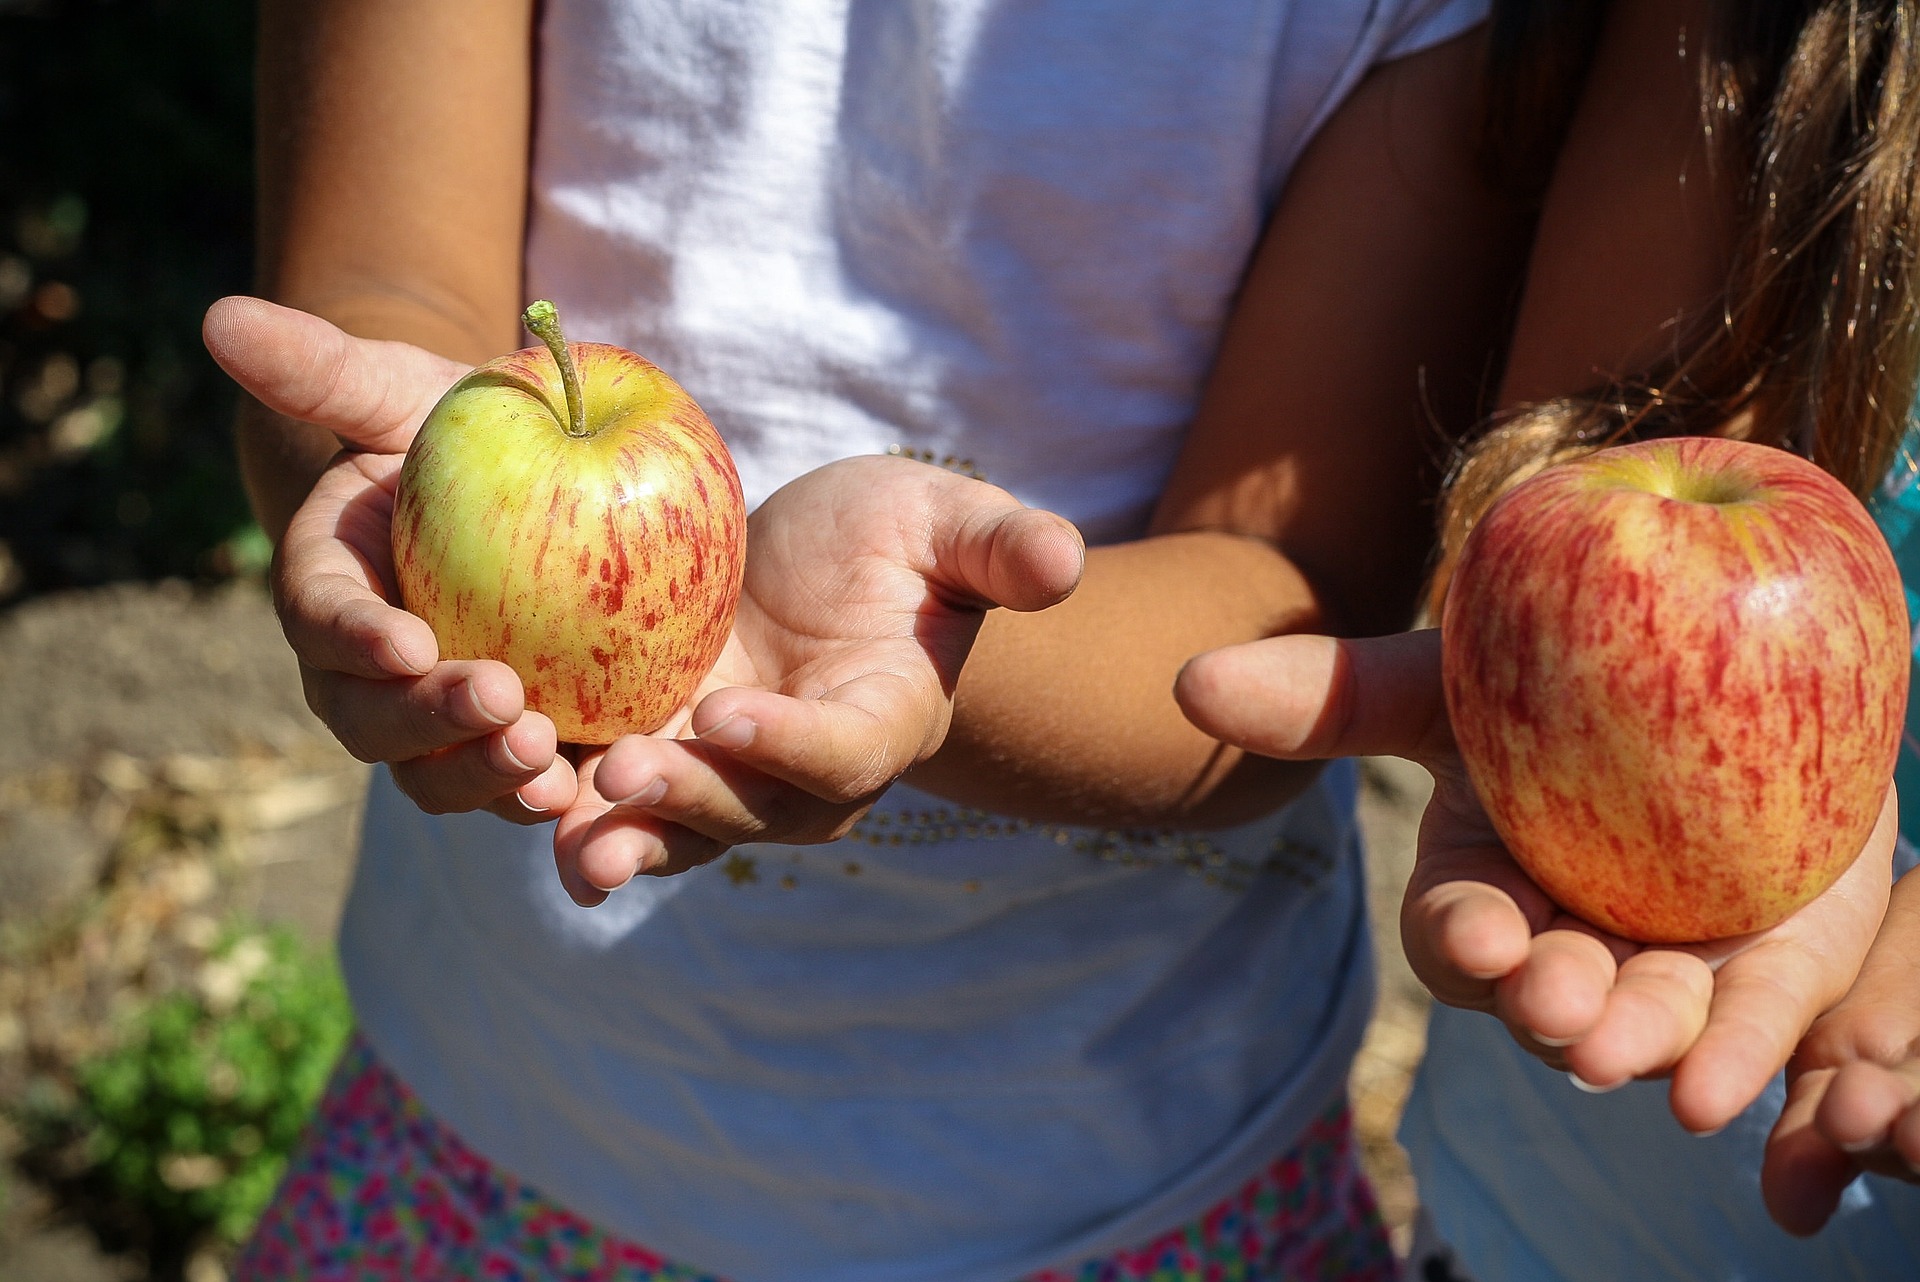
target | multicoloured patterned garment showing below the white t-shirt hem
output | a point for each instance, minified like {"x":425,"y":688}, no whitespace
{"x":383,"y":1193}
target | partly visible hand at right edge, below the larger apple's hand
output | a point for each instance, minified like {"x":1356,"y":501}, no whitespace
{"x":1854,"y":1085}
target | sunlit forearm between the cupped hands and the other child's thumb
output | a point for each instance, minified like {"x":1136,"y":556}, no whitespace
{"x":1068,"y":715}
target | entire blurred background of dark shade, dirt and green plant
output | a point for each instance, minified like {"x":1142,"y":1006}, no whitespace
{"x":176,"y":828}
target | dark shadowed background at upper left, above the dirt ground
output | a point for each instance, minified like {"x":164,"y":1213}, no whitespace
{"x":126,"y":208}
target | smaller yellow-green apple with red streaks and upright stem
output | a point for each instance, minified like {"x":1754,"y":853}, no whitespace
{"x":571,"y":511}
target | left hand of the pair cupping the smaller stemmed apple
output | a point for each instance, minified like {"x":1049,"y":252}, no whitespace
{"x":456,"y":734}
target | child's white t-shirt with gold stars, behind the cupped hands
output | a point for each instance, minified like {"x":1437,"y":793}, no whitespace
{"x":949,"y":1047}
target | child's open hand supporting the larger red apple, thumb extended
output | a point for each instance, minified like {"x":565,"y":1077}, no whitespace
{"x":1481,"y":936}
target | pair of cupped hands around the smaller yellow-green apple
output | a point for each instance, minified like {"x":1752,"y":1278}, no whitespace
{"x":867,"y":582}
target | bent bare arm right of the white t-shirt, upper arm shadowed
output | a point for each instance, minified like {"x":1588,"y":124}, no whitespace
{"x":1303,"y":496}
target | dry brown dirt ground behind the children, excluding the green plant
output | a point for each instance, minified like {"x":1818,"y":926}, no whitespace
{"x":160,"y":771}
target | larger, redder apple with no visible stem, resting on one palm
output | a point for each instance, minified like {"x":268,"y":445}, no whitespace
{"x":1677,"y":673}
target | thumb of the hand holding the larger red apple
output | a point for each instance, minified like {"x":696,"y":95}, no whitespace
{"x":1320,"y":698}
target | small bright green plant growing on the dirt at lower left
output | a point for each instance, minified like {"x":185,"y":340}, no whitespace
{"x":178,"y":1137}
